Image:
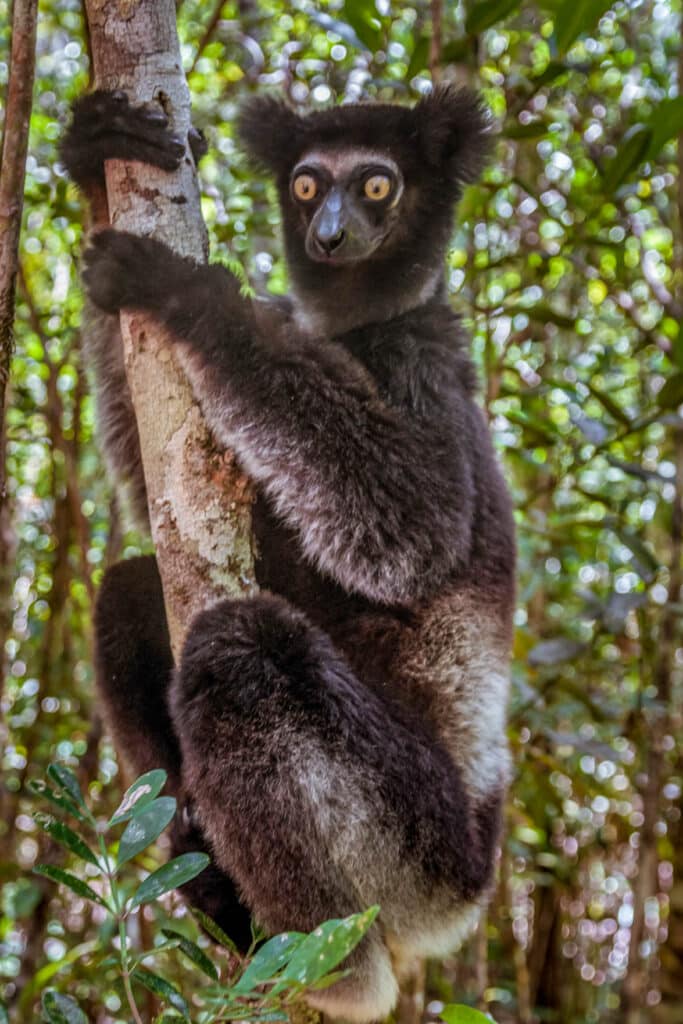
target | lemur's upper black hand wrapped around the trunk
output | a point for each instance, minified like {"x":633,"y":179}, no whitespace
{"x":107,"y":125}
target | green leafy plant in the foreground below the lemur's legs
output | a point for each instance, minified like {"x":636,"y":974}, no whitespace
{"x":261,"y":988}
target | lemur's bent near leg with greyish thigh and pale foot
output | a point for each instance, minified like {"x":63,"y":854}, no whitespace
{"x":319,"y":797}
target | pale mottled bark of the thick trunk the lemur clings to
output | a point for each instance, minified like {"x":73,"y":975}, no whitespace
{"x":200,"y":503}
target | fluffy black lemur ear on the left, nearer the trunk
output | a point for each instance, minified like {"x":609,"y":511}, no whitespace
{"x":271,"y":134}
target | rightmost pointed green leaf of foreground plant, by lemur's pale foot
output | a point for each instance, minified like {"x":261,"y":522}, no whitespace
{"x":325,"y":949}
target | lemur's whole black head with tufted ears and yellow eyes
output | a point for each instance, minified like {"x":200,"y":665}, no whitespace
{"x":367,"y":193}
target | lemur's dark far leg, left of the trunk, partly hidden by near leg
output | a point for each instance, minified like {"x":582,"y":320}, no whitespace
{"x":134,"y":667}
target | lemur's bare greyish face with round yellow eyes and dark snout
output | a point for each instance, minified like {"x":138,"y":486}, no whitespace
{"x":348,"y":203}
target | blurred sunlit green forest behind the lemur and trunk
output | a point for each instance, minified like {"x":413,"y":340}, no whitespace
{"x":568,"y":268}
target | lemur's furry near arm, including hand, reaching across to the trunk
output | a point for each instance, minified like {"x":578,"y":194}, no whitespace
{"x":378,"y":500}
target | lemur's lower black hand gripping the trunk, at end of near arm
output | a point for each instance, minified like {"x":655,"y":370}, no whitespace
{"x":122,"y":271}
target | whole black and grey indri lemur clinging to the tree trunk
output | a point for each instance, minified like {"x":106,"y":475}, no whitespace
{"x":340,"y":739}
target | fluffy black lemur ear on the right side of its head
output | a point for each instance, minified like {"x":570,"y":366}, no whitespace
{"x":455,"y":132}
